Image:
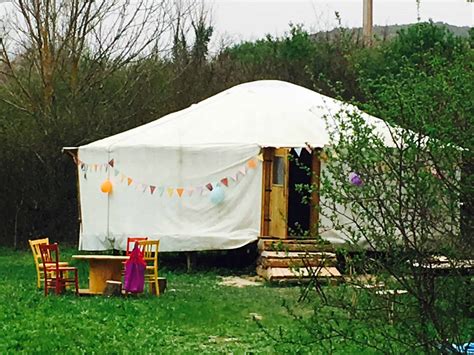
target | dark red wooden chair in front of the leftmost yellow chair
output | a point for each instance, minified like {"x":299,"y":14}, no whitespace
{"x":56,"y":276}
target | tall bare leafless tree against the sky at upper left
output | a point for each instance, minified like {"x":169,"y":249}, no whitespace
{"x":49,"y":39}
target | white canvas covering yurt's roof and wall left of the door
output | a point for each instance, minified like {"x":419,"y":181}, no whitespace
{"x":203,"y":144}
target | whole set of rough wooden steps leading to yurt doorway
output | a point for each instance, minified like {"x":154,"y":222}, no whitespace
{"x":296,"y":259}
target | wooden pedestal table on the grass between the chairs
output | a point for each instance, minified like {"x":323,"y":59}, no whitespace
{"x":101,"y":269}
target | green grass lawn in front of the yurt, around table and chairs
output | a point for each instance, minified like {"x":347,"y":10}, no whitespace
{"x":195,"y":314}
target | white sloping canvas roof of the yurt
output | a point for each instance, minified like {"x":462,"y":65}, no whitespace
{"x":268,"y":113}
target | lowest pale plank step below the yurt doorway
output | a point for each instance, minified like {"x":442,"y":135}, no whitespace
{"x":275,"y":274}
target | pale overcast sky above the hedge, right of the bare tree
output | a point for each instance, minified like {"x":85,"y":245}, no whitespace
{"x":251,"y":19}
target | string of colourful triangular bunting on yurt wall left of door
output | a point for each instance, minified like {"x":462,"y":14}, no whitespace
{"x":201,"y":190}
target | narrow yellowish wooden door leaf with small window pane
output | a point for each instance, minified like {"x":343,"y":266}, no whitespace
{"x":279,"y":194}
